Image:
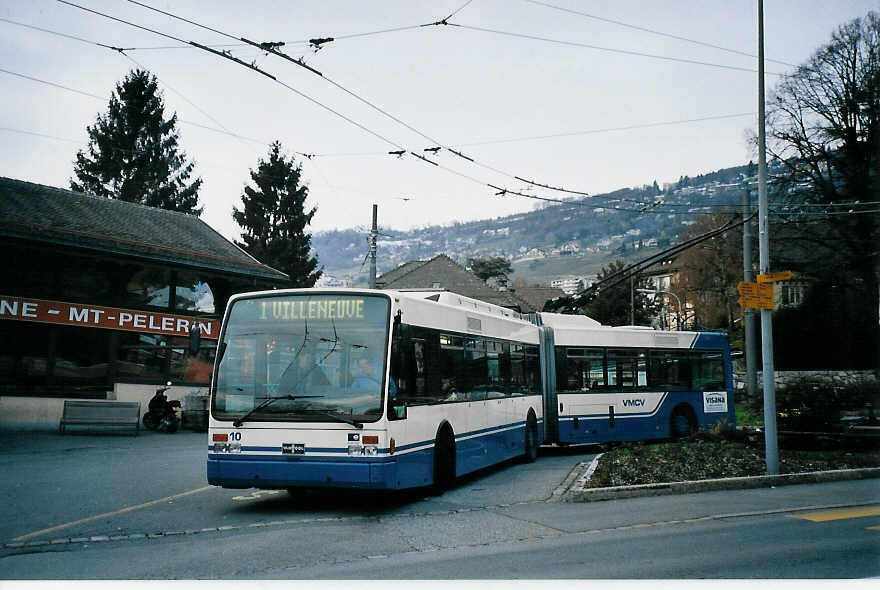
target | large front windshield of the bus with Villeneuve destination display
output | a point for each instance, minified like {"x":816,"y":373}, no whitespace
{"x":303,"y":358}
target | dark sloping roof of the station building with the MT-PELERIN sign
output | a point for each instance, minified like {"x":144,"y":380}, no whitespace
{"x":46,"y":214}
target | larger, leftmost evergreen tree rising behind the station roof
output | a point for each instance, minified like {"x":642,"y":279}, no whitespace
{"x":133,"y":152}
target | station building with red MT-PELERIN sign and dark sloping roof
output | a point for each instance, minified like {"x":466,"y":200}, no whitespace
{"x":97,"y":297}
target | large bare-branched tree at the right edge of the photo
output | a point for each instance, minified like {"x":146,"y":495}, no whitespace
{"x":824,"y":134}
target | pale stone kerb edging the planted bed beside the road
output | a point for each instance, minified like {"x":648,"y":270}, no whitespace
{"x":580,"y":494}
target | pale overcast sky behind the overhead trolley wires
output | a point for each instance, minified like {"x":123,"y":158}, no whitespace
{"x":493,"y":89}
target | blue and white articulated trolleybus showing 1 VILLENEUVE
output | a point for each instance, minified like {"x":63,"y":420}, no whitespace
{"x":398,"y":389}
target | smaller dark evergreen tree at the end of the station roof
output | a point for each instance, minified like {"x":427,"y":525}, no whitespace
{"x":274,"y":219}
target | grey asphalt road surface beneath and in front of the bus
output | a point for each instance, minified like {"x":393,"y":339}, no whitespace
{"x":116,"y":507}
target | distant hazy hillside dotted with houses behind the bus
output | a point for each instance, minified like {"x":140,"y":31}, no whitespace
{"x":556,"y":244}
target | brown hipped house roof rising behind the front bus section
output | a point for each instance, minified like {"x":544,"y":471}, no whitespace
{"x":444,"y":273}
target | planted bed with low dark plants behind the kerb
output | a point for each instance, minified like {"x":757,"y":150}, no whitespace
{"x":710,"y":458}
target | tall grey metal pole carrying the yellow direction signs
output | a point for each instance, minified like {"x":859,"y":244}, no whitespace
{"x":771,"y":449}
